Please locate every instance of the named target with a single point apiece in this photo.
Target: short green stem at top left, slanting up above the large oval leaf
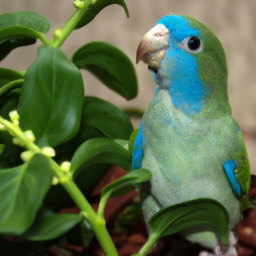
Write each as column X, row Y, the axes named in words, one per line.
column 69, row 27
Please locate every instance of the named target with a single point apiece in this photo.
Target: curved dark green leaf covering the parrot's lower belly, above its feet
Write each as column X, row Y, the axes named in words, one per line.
column 196, row 213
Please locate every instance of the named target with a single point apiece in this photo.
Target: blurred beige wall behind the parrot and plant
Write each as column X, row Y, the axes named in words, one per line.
column 233, row 21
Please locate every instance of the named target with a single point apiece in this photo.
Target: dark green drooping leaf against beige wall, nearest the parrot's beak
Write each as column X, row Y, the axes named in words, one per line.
column 110, row 65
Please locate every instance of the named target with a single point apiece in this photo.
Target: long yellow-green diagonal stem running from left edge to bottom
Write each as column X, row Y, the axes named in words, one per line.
column 96, row 221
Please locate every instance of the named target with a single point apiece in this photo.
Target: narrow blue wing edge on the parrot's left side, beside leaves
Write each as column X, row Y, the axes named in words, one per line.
column 137, row 151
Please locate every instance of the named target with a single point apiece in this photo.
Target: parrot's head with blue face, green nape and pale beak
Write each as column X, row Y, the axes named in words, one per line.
column 186, row 57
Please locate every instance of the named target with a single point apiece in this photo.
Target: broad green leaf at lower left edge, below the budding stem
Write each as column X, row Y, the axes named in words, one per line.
column 22, row 190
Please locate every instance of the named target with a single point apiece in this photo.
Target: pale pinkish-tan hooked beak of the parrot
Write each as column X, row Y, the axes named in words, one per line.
column 153, row 46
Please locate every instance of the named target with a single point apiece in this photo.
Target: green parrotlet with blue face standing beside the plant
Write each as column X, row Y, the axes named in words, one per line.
column 188, row 138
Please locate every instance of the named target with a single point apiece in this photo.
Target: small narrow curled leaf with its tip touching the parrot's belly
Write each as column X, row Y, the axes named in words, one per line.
column 123, row 184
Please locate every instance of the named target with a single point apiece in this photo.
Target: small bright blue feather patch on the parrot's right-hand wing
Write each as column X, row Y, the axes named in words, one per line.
column 230, row 169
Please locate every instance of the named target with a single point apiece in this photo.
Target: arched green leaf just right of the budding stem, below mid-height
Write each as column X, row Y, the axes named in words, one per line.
column 100, row 150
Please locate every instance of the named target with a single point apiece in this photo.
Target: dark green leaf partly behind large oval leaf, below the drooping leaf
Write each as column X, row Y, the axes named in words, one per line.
column 107, row 118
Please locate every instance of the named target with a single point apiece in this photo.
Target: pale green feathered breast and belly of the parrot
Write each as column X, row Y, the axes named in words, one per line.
column 185, row 155
